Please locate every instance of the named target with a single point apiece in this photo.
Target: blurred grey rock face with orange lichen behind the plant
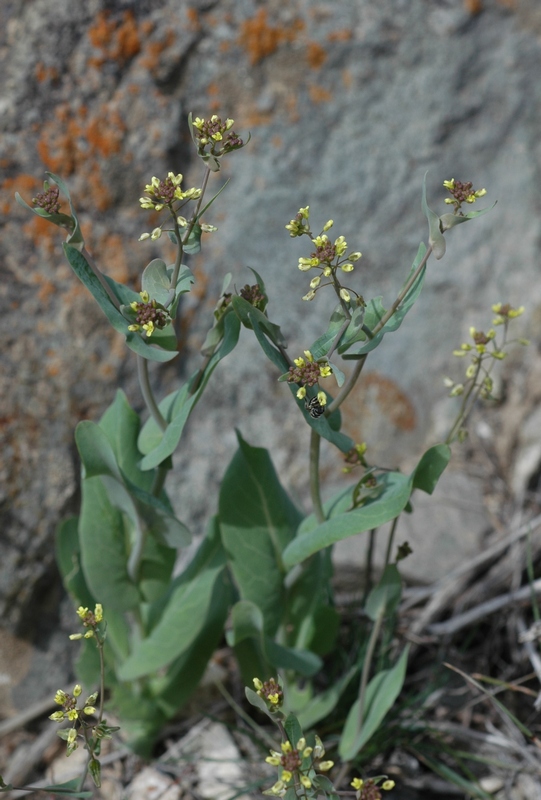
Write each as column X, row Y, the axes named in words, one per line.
column 349, row 103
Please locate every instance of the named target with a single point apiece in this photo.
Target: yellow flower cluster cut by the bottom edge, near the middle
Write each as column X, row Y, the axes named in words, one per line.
column 297, row 765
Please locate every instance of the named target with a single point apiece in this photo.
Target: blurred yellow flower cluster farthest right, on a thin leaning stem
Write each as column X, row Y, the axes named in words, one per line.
column 483, row 346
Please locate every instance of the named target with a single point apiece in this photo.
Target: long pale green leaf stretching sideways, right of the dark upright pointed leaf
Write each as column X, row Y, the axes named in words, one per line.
column 376, row 512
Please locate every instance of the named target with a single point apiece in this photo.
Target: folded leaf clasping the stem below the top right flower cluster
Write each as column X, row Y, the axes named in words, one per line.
column 356, row 342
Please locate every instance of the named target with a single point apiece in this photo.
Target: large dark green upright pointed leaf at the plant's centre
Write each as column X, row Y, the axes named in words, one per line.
column 257, row 521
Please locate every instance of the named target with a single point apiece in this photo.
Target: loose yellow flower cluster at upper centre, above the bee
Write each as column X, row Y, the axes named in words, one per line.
column 328, row 256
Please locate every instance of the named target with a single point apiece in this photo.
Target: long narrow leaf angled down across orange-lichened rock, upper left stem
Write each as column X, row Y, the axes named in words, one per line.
column 142, row 346
